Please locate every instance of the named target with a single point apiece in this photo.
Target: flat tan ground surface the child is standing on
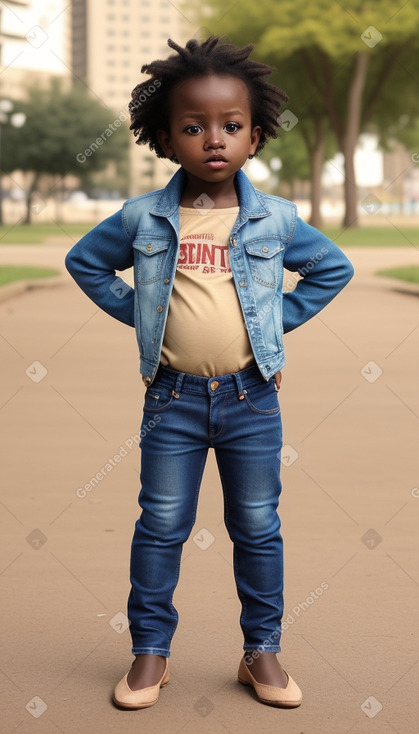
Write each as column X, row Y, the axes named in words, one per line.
column 71, row 400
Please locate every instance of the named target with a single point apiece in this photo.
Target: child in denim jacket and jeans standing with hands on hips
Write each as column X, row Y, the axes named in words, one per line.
column 208, row 253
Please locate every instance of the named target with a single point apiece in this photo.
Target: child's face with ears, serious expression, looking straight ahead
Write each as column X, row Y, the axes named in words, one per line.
column 211, row 131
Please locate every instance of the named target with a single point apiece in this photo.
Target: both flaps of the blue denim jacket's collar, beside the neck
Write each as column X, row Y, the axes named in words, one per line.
column 250, row 200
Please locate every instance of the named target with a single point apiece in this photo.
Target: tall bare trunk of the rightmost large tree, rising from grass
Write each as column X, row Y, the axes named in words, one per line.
column 353, row 122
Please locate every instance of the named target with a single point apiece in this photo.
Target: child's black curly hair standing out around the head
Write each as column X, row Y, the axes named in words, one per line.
column 149, row 107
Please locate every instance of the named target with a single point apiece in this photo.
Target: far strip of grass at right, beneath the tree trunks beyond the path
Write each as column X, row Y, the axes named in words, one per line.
column 374, row 236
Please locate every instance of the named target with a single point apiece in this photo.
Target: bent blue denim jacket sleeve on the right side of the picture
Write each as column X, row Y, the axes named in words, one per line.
column 325, row 270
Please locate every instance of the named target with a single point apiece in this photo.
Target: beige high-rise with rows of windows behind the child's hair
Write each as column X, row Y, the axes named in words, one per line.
column 112, row 39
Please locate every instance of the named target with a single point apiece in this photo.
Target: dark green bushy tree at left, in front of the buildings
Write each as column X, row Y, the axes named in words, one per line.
column 66, row 132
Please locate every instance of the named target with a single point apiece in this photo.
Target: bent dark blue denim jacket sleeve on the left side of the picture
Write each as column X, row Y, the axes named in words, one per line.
column 92, row 263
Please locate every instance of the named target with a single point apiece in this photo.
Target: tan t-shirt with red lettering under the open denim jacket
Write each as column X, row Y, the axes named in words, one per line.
column 205, row 331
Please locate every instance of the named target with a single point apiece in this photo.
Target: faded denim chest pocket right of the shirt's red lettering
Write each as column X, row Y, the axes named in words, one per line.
column 265, row 257
